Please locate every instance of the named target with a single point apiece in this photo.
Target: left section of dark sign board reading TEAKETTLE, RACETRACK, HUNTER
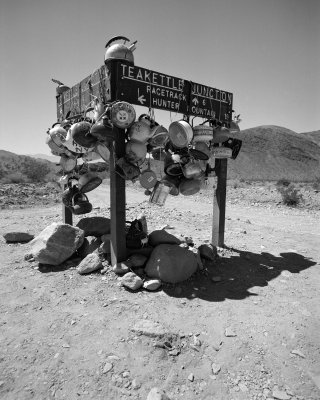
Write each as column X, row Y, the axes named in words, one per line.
column 152, row 89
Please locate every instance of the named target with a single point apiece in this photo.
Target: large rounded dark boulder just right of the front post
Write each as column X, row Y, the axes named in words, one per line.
column 171, row 263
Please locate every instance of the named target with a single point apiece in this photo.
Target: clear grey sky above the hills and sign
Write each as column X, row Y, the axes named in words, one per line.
column 265, row 52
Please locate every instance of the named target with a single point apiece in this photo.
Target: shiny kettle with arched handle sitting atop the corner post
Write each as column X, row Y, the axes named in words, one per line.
column 119, row 51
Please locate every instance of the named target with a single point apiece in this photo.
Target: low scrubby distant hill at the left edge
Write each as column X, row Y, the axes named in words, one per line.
column 14, row 167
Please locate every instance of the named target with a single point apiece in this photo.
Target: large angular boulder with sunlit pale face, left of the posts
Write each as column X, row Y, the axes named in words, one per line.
column 56, row 243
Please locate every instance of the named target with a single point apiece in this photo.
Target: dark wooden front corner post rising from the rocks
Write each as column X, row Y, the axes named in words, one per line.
column 117, row 184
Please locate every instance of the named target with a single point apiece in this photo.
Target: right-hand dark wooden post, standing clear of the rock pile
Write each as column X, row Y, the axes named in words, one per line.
column 219, row 203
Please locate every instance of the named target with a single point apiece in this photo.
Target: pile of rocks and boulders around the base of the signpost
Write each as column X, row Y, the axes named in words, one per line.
column 160, row 257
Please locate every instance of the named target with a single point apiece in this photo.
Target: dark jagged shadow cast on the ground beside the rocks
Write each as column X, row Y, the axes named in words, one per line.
column 239, row 272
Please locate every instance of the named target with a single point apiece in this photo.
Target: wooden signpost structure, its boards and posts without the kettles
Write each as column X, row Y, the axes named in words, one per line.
column 151, row 89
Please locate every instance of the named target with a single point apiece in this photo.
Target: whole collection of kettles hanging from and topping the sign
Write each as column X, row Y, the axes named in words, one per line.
column 184, row 149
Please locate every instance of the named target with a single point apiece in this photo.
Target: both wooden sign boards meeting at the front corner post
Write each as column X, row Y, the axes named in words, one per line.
column 143, row 87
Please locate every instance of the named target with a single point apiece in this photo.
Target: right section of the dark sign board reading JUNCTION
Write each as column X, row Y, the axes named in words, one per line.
column 210, row 103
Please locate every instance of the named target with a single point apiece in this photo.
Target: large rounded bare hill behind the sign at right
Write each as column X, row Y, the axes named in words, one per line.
column 272, row 152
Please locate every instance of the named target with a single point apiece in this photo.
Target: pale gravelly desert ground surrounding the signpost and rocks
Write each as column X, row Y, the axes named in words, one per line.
column 244, row 328
